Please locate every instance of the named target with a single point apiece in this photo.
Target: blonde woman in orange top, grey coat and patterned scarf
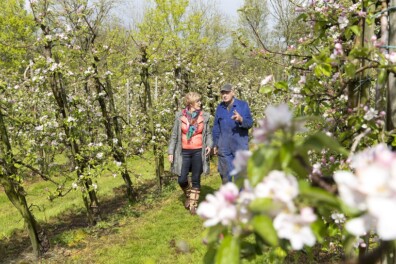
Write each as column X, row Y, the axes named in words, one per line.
column 189, row 148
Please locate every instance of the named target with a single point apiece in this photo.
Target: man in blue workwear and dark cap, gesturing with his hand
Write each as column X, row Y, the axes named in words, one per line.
column 230, row 130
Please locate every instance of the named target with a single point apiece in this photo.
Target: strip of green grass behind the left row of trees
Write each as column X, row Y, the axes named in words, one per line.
column 43, row 209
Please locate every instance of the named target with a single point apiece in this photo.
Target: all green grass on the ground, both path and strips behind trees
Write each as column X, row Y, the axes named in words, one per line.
column 157, row 229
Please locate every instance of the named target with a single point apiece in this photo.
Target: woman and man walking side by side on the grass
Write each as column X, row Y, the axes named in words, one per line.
column 192, row 140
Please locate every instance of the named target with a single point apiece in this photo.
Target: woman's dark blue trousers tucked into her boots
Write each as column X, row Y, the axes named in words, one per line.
column 192, row 161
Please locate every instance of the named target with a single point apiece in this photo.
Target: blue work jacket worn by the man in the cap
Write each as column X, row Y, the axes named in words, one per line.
column 230, row 135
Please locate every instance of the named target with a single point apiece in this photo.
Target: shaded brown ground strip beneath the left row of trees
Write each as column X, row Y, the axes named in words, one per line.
column 17, row 249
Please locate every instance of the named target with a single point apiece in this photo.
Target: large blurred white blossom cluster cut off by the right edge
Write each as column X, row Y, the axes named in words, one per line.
column 371, row 188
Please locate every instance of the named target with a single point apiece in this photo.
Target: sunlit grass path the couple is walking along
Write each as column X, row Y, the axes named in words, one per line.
column 165, row 233
